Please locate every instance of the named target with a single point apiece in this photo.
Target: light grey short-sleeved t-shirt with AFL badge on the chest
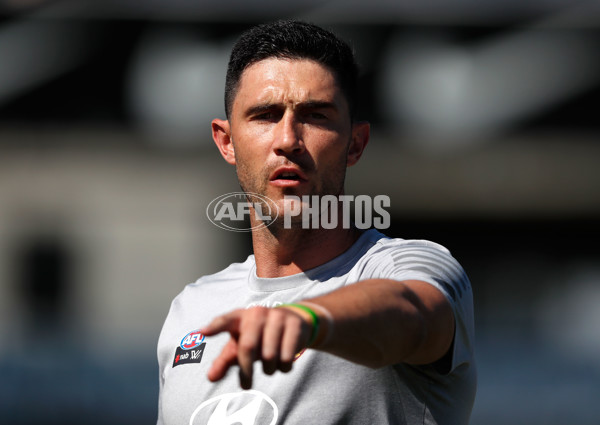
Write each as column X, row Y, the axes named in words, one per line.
column 321, row 388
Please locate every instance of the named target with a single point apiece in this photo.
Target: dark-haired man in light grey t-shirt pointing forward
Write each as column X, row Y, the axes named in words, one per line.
column 354, row 327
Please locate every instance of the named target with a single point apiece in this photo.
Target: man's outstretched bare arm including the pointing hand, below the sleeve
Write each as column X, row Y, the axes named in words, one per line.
column 374, row 323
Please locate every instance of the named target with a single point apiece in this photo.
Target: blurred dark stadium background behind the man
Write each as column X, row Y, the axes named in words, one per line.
column 486, row 138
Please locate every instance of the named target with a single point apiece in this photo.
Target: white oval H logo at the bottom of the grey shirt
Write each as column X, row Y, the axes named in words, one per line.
column 242, row 408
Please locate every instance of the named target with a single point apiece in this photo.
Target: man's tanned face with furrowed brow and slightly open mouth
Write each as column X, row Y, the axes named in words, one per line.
column 291, row 130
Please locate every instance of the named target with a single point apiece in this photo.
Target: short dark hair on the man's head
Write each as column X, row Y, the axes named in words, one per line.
column 291, row 39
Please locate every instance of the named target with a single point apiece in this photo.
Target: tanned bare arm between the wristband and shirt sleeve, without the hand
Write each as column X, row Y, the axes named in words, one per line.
column 380, row 322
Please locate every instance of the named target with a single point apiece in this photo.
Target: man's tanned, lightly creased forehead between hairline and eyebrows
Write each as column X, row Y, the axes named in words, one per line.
column 289, row 81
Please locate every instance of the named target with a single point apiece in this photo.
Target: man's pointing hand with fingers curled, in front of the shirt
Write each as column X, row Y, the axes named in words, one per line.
column 271, row 335
